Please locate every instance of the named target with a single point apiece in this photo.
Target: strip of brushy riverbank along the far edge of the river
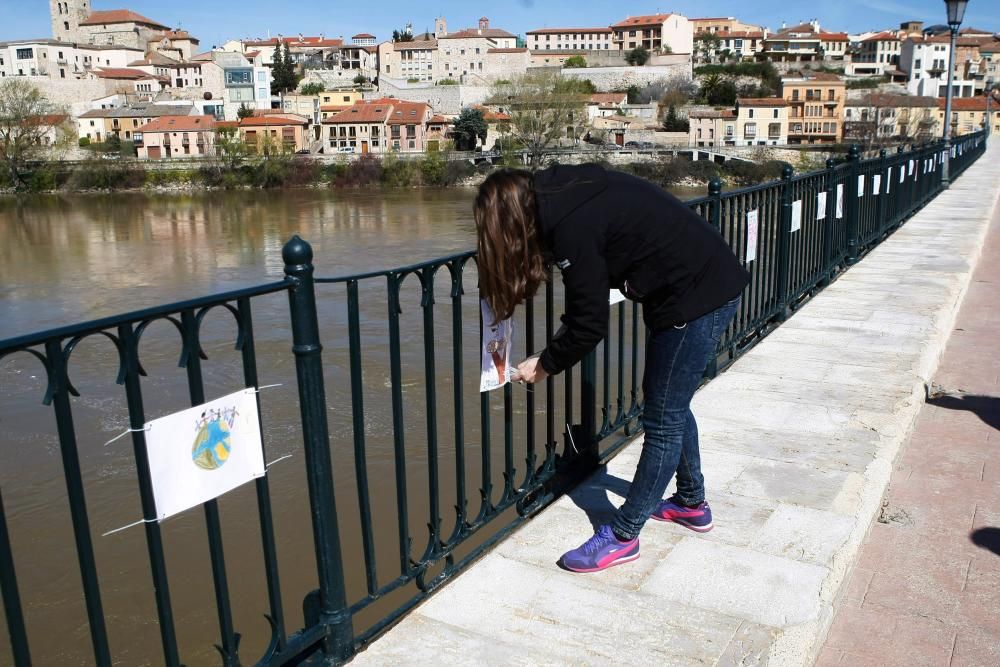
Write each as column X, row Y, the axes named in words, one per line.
column 433, row 170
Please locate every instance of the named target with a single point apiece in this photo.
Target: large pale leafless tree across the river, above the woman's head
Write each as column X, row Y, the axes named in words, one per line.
column 545, row 109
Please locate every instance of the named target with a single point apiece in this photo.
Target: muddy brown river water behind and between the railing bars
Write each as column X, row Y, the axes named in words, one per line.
column 67, row 259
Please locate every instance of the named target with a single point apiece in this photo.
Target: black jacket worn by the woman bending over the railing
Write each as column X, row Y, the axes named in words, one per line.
column 606, row 229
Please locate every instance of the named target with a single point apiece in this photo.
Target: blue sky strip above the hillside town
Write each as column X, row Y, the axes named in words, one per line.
column 220, row 20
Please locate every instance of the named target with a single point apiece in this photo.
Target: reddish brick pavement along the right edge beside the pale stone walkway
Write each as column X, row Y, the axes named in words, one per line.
column 926, row 588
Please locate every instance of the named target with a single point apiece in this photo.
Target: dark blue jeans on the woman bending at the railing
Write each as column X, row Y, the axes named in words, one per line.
column 675, row 362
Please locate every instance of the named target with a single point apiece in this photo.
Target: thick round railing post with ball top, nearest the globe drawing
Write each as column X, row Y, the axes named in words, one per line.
column 332, row 612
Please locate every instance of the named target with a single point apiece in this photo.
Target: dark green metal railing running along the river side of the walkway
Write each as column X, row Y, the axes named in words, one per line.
column 802, row 244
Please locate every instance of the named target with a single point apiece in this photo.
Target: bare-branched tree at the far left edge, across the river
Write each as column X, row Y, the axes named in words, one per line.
column 28, row 122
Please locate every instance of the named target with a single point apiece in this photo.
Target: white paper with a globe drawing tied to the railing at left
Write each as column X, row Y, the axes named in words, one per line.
column 200, row 453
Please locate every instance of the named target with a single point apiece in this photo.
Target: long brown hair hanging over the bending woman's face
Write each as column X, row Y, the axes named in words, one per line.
column 511, row 261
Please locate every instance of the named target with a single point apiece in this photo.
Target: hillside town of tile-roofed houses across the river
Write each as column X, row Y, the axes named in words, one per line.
column 115, row 80
